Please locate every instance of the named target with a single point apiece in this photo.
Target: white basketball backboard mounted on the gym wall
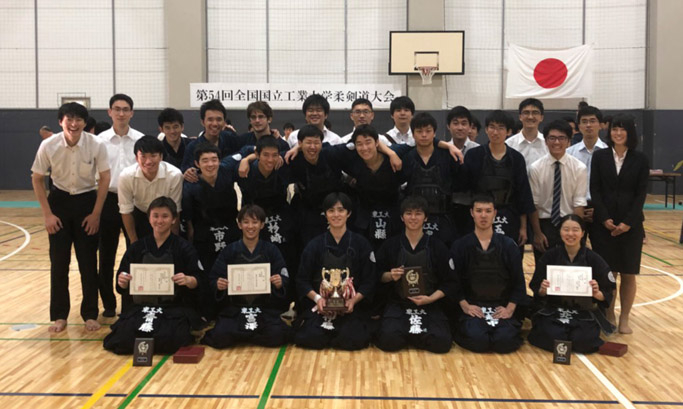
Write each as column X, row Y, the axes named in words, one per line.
column 409, row 50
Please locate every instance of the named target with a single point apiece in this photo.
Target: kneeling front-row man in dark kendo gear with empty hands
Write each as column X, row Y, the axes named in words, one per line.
column 490, row 285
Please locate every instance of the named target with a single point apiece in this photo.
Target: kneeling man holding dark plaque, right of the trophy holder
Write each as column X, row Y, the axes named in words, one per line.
column 416, row 320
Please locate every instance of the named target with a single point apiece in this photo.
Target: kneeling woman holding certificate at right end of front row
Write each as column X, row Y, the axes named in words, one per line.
column 566, row 317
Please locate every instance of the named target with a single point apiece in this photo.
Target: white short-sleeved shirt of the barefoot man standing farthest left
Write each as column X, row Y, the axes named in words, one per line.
column 73, row 169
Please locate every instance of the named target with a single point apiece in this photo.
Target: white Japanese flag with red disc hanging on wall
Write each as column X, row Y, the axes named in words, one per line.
column 565, row 73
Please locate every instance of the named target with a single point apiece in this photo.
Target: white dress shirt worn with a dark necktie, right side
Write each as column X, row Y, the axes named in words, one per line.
column 574, row 181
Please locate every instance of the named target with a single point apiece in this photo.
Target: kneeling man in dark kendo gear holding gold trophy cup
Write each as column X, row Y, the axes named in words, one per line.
column 335, row 264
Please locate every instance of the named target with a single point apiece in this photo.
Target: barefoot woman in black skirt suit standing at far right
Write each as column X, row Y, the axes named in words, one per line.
column 618, row 187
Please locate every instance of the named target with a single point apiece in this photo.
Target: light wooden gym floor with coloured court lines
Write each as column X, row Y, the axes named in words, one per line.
column 71, row 370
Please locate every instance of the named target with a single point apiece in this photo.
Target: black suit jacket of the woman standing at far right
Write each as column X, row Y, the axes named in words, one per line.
column 619, row 197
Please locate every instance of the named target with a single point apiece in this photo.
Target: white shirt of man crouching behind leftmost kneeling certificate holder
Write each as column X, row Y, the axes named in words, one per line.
column 136, row 191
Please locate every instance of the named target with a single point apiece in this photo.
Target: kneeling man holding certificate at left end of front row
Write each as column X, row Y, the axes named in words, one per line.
column 161, row 272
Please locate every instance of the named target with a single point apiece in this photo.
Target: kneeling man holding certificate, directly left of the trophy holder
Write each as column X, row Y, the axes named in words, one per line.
column 249, row 280
